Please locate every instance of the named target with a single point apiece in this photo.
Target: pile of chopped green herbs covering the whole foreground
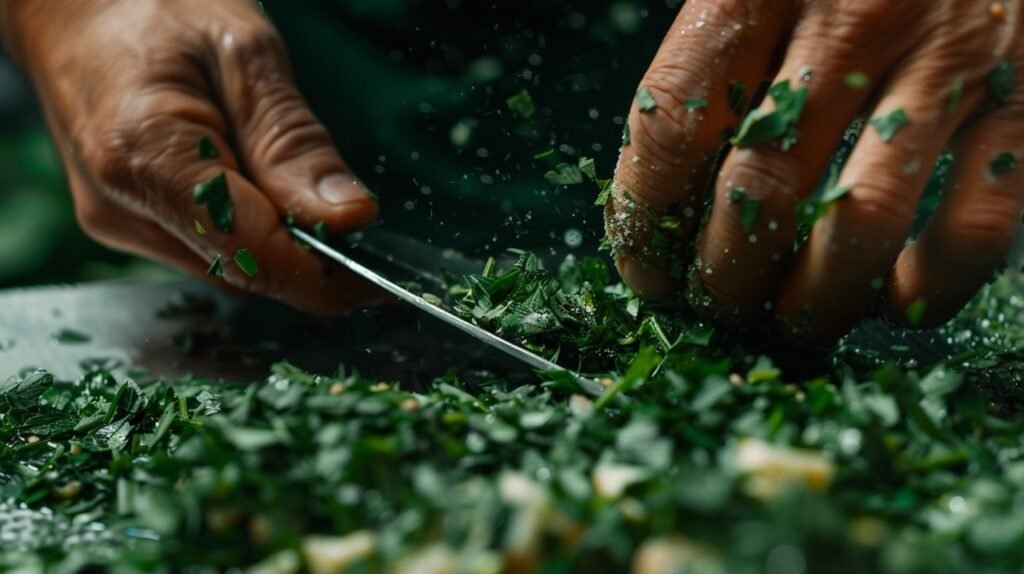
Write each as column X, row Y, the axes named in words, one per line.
column 712, row 460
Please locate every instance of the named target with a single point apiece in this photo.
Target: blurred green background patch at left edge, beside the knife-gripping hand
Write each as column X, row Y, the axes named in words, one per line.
column 40, row 242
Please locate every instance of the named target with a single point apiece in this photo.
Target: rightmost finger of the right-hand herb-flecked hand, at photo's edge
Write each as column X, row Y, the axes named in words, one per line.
column 973, row 231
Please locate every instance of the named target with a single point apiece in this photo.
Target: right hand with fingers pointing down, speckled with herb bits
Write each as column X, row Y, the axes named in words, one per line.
column 947, row 65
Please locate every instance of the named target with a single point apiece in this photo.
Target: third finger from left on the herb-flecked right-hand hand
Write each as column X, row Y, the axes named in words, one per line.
column 840, row 273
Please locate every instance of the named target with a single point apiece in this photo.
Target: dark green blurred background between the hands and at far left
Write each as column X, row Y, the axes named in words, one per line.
column 414, row 93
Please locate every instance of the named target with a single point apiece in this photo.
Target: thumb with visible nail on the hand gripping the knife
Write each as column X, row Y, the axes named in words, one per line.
column 285, row 151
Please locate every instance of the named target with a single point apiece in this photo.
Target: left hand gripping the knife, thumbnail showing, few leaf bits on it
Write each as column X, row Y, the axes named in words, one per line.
column 132, row 87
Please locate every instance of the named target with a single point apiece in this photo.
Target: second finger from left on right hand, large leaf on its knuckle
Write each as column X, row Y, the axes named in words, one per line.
column 826, row 81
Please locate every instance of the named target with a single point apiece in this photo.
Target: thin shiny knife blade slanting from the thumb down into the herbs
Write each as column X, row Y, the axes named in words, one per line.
column 386, row 259
